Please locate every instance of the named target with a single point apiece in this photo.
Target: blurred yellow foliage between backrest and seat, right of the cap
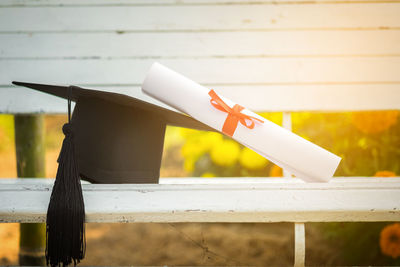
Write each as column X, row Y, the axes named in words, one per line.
column 364, row 149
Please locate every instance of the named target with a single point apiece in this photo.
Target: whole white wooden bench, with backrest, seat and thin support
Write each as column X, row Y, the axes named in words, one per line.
column 269, row 56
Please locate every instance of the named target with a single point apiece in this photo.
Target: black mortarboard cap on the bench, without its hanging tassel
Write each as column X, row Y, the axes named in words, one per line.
column 118, row 138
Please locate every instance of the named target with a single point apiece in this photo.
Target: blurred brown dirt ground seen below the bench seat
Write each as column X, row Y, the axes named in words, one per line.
column 209, row 244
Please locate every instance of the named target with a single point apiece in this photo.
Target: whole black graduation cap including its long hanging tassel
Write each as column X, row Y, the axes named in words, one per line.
column 110, row 138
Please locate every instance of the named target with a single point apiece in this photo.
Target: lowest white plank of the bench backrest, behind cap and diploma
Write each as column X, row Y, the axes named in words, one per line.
column 258, row 98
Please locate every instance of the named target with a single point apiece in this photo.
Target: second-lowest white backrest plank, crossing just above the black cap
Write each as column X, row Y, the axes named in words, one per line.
column 234, row 71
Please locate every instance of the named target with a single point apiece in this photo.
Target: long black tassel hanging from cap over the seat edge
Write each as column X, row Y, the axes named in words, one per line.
column 65, row 225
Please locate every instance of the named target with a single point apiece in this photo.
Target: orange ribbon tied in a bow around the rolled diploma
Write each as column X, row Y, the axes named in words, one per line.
column 234, row 115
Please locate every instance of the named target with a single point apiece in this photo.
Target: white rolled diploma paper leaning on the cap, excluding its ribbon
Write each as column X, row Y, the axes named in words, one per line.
column 284, row 148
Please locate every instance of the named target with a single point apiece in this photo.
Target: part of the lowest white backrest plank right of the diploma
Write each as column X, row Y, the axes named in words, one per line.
column 315, row 97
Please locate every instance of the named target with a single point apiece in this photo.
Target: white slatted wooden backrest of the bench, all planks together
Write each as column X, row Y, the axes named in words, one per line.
column 269, row 56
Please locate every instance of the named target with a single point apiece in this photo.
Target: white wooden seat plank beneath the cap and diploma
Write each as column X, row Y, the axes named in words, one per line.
column 346, row 199
